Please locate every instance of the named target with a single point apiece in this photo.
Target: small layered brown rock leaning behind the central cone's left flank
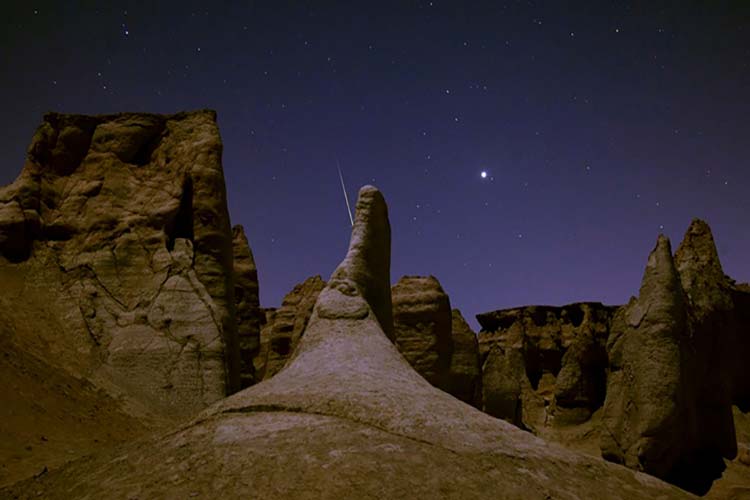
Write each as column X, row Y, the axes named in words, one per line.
column 285, row 325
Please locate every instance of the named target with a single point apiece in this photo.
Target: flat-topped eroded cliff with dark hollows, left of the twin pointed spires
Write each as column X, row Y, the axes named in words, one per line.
column 544, row 367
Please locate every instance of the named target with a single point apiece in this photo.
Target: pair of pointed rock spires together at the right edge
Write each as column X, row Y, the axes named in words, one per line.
column 677, row 368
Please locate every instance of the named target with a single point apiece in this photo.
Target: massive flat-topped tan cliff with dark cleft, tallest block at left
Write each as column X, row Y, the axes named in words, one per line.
column 117, row 230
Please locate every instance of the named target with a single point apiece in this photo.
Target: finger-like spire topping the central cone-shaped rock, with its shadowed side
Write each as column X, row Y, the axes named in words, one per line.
column 367, row 263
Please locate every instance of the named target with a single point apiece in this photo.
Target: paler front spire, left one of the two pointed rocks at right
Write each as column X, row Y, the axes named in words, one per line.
column 648, row 422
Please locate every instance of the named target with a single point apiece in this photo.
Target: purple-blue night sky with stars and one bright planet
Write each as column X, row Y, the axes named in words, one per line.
column 598, row 124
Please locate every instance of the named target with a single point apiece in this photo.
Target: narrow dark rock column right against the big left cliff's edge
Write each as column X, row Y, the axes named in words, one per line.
column 249, row 316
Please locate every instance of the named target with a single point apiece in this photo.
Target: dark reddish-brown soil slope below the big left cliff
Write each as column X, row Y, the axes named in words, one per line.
column 49, row 417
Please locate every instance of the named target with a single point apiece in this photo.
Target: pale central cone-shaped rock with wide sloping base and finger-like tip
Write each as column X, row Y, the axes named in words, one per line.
column 347, row 417
